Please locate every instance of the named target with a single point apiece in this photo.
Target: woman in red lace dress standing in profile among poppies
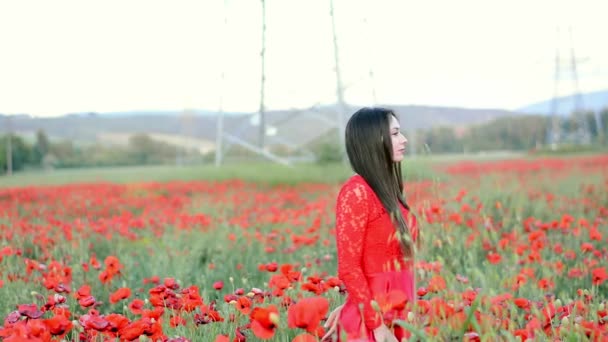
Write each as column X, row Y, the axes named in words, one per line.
column 375, row 232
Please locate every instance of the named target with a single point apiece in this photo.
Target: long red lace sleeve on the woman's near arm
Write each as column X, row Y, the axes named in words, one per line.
column 352, row 211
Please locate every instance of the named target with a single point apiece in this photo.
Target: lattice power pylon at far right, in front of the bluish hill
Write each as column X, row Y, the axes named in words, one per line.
column 555, row 134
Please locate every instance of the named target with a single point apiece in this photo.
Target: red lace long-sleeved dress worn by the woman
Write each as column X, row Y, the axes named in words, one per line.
column 371, row 262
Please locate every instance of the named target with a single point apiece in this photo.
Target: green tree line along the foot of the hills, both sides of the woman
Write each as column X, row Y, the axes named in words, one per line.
column 515, row 133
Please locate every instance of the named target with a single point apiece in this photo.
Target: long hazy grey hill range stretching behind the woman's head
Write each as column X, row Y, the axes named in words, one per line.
column 289, row 128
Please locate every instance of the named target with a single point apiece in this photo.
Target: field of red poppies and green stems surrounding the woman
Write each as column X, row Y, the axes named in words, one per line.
column 511, row 250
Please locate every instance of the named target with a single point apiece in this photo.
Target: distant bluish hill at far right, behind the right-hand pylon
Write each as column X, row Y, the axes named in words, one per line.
column 594, row 101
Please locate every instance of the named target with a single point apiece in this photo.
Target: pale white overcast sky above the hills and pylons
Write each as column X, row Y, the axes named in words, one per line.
column 71, row 56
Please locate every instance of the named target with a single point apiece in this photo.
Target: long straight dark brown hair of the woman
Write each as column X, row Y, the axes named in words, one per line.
column 369, row 149
